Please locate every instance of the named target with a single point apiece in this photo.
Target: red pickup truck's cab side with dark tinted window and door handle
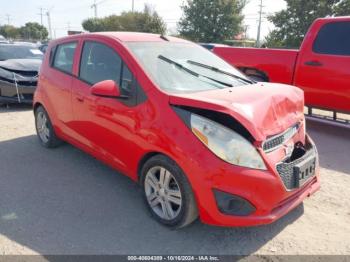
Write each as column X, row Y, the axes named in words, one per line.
column 323, row 70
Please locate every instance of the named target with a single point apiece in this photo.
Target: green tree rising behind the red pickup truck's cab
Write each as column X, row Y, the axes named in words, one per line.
column 293, row 22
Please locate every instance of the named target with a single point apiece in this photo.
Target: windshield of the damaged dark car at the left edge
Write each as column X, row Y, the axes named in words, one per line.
column 19, row 52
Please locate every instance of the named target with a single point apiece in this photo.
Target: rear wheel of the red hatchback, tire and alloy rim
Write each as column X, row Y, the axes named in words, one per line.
column 44, row 129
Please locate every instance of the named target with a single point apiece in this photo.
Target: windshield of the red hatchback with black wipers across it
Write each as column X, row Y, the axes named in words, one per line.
column 171, row 66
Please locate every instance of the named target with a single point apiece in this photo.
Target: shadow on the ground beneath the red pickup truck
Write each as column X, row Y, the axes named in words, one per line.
column 333, row 143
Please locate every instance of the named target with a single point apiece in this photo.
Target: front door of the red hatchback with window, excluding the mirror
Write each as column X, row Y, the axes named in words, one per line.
column 106, row 125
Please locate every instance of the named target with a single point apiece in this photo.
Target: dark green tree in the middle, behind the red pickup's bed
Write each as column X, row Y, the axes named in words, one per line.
column 211, row 20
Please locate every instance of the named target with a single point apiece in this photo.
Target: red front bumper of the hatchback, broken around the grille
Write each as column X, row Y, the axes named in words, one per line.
column 265, row 190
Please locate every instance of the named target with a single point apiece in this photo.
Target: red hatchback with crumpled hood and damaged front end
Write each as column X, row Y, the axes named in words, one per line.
column 200, row 137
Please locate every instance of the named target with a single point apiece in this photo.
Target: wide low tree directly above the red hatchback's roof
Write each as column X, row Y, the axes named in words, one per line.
column 147, row 21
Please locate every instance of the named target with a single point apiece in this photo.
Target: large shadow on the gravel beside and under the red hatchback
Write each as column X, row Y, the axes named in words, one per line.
column 63, row 201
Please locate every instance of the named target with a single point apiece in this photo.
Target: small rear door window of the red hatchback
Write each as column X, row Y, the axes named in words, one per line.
column 64, row 57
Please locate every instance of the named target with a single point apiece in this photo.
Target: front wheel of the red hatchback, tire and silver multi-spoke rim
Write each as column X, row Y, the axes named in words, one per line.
column 175, row 186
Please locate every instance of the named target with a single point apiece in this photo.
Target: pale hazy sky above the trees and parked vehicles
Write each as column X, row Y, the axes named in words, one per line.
column 68, row 14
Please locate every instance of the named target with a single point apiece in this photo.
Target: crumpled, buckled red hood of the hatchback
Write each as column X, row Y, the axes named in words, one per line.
column 264, row 109
